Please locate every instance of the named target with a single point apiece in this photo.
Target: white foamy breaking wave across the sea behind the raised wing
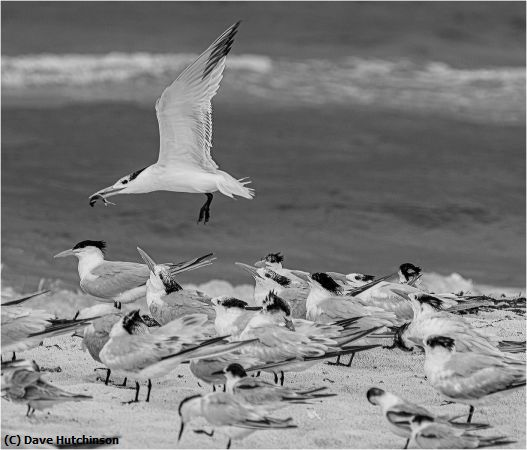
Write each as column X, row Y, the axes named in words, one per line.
column 484, row 94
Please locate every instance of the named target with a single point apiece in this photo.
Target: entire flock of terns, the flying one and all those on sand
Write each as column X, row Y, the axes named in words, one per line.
column 295, row 321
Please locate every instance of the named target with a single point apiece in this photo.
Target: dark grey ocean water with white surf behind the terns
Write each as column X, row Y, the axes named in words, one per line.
column 393, row 140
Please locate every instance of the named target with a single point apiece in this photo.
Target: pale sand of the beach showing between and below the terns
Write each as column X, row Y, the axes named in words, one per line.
column 347, row 420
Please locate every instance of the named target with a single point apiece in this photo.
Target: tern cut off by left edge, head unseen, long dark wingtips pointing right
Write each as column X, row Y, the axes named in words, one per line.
column 24, row 328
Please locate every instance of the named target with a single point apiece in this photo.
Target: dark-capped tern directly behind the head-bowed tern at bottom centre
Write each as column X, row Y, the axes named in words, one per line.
column 259, row 392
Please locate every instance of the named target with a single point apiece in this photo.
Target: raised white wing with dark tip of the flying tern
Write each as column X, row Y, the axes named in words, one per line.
column 184, row 110
